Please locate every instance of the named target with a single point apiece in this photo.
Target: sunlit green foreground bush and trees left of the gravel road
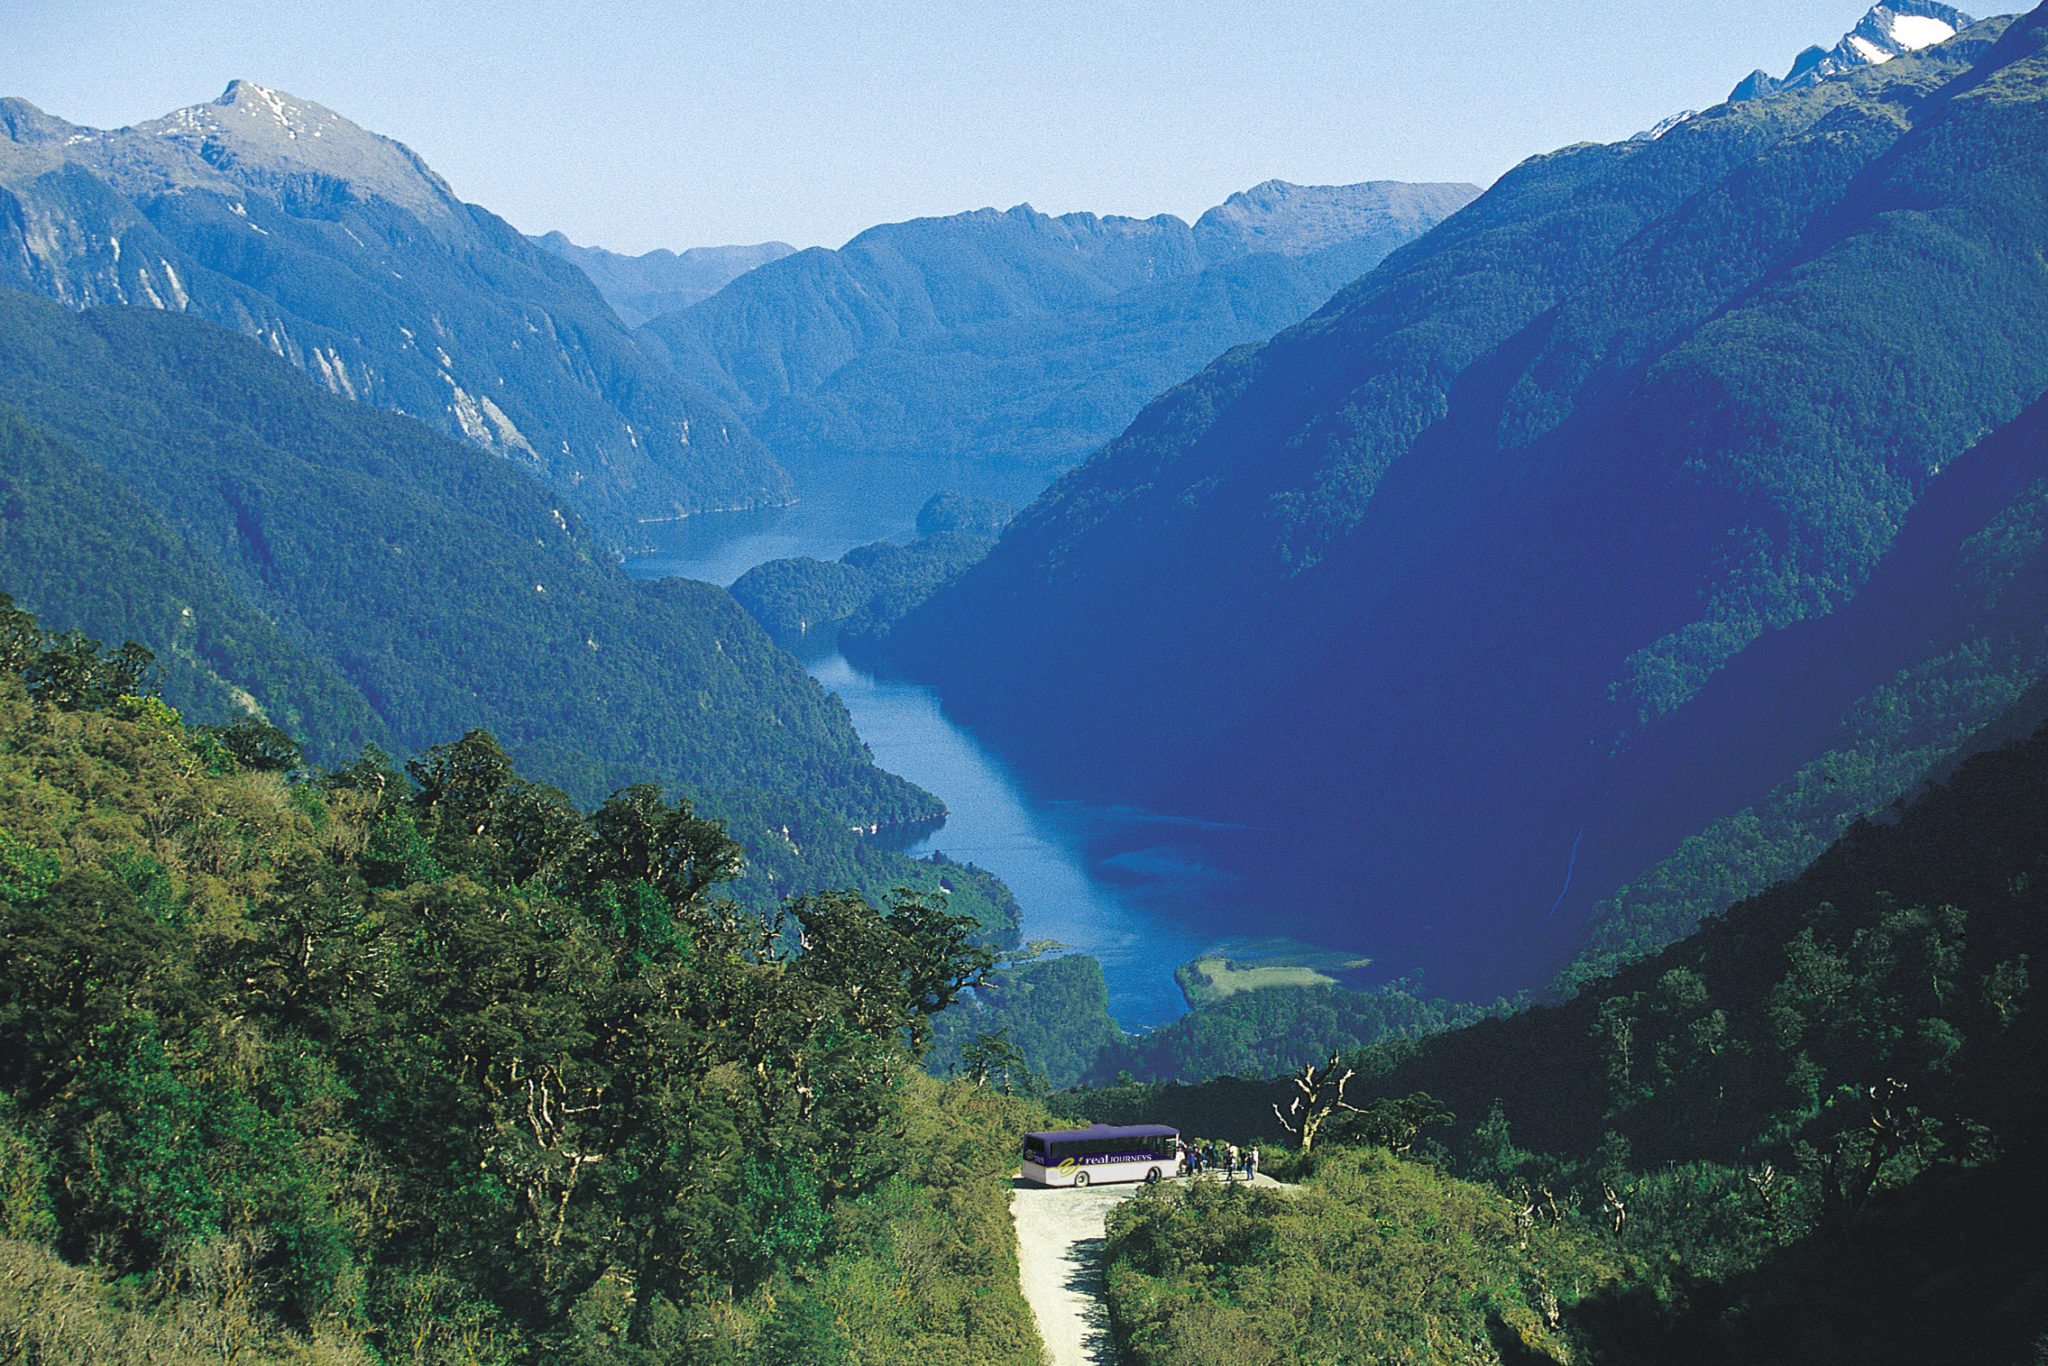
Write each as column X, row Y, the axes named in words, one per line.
column 427, row 1066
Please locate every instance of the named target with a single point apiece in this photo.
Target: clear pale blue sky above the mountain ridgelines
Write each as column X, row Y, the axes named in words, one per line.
column 687, row 124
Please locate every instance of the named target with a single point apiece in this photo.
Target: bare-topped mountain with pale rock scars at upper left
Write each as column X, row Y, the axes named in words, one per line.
column 343, row 253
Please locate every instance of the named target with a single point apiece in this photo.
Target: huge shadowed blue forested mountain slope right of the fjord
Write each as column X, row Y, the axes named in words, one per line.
column 1439, row 581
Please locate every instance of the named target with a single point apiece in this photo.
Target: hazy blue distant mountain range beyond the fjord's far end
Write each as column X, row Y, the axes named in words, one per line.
column 1023, row 341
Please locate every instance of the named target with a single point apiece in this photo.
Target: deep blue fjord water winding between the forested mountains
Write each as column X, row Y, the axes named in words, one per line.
column 1136, row 890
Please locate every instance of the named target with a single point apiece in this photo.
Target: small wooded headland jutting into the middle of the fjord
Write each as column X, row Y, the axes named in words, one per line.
column 871, row 587
